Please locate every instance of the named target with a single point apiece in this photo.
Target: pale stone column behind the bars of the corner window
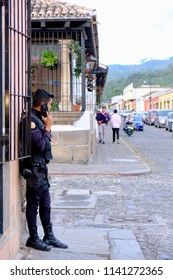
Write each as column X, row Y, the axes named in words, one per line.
column 65, row 104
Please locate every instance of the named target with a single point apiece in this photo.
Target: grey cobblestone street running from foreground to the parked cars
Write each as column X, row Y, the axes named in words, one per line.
column 142, row 203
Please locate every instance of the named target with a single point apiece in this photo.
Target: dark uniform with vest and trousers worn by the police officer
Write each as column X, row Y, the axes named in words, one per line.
column 38, row 184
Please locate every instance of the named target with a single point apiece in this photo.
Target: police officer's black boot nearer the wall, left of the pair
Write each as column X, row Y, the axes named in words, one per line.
column 35, row 242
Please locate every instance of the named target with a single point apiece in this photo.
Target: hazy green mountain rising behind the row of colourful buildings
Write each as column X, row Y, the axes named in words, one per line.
column 156, row 72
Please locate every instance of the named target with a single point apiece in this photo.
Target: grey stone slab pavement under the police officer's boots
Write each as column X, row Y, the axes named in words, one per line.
column 87, row 244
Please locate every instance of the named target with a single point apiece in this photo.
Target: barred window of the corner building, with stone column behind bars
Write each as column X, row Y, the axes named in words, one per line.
column 65, row 80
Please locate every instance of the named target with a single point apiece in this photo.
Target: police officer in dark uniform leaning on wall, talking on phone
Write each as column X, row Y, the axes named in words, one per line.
column 37, row 194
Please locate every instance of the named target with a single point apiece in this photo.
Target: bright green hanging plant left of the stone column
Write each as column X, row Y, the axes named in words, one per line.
column 49, row 58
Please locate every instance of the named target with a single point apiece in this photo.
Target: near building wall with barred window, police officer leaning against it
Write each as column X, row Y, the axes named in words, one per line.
column 14, row 98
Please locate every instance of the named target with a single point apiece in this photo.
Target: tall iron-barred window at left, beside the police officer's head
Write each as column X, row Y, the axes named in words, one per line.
column 14, row 89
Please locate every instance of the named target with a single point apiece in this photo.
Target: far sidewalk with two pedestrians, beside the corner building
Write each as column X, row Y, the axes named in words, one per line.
column 108, row 159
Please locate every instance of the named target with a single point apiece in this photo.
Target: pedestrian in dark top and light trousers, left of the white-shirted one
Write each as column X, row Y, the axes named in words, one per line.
column 102, row 119
